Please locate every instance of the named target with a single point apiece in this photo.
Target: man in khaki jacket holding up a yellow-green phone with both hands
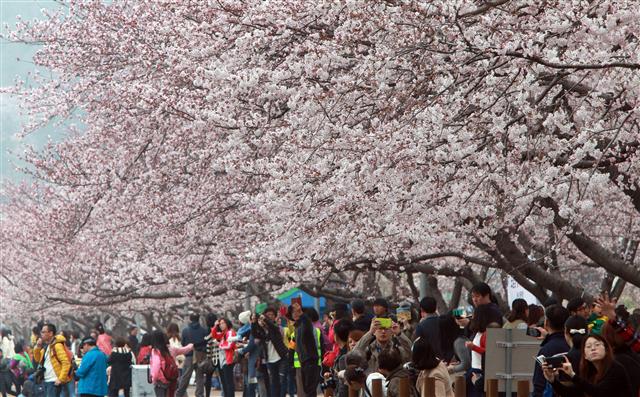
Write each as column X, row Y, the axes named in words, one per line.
column 379, row 338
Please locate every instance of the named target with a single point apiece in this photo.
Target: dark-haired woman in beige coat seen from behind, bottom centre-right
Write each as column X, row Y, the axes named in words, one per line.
column 424, row 360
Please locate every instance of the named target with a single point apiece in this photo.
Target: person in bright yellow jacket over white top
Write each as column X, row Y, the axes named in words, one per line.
column 52, row 356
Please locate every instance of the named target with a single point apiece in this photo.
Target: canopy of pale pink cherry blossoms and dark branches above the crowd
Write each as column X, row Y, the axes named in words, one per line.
column 229, row 144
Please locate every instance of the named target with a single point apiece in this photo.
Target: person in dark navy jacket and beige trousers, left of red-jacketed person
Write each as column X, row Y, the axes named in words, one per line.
column 194, row 334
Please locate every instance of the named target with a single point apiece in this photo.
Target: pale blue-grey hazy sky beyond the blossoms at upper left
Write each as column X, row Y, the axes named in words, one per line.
column 10, row 68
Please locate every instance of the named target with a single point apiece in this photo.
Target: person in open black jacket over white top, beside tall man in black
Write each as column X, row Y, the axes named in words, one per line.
column 276, row 351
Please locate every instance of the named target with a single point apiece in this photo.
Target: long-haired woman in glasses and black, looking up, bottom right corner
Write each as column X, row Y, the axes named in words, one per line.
column 600, row 375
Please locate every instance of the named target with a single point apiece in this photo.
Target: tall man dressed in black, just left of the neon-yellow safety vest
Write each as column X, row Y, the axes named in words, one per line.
column 307, row 350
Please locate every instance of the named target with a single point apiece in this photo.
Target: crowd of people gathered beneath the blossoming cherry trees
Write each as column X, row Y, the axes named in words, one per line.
column 587, row 349
